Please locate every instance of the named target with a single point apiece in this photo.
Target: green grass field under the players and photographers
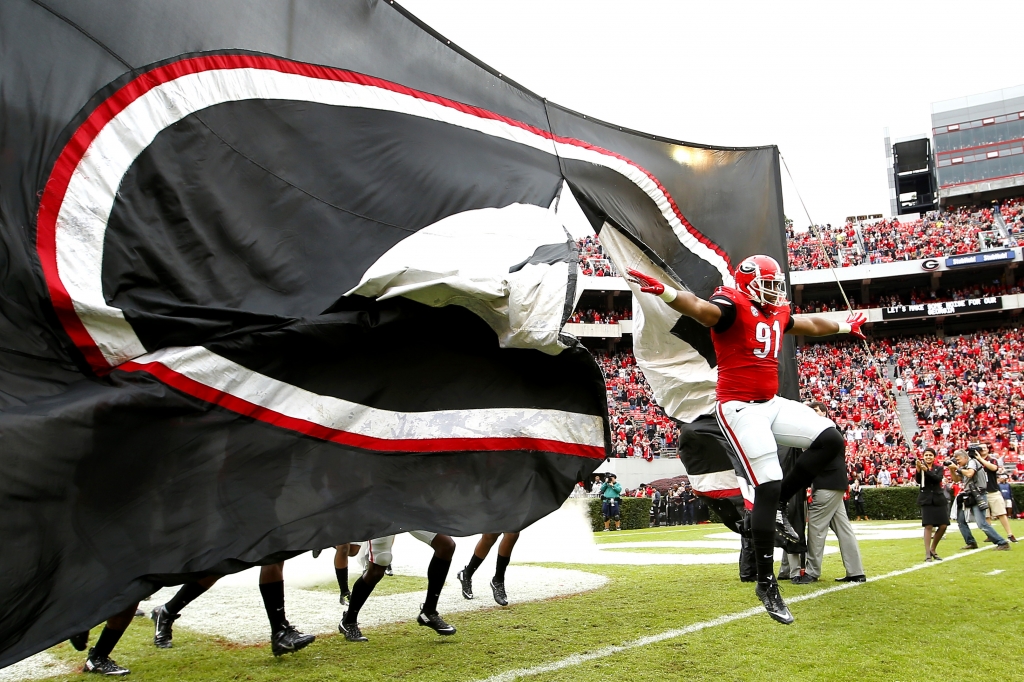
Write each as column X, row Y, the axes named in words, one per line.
column 958, row 620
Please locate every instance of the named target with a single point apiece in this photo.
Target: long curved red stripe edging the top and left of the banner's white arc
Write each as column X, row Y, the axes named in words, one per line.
column 71, row 156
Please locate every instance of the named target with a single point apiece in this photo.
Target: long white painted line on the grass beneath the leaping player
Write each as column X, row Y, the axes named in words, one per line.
column 577, row 659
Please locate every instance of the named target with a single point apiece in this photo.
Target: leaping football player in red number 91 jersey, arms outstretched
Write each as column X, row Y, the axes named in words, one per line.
column 747, row 326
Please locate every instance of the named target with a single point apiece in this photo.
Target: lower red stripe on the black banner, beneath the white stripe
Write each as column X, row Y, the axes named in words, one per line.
column 247, row 409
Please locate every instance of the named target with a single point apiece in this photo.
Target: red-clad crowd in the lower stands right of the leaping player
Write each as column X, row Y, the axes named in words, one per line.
column 964, row 389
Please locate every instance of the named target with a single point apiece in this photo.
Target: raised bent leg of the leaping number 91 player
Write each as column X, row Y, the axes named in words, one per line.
column 797, row 425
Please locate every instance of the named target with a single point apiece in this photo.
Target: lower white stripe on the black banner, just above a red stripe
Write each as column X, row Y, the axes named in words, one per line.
column 219, row 373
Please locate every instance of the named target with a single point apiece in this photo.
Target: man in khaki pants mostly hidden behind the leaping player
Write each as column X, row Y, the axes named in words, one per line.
column 828, row 510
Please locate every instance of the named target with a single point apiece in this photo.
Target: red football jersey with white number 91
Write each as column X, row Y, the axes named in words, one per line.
column 747, row 344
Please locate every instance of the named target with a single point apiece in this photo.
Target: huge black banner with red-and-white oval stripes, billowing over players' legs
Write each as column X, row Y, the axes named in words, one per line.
column 270, row 267
